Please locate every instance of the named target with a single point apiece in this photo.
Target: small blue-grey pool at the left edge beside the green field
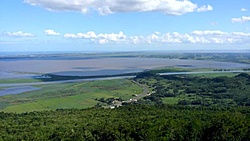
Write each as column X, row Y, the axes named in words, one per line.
column 17, row 90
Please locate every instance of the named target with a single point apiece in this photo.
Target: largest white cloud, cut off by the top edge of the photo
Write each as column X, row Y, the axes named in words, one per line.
column 104, row 7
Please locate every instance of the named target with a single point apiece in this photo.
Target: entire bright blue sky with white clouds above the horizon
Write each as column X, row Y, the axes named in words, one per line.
column 124, row 25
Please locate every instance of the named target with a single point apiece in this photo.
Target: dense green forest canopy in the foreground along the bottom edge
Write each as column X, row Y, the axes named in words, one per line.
column 131, row 122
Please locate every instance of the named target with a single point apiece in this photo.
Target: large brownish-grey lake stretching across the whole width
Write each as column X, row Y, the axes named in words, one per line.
column 103, row 66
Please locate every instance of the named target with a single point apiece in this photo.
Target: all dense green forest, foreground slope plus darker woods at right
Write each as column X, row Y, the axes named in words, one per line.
column 206, row 108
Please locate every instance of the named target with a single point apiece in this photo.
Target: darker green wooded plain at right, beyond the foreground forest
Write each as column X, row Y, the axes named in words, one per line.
column 203, row 91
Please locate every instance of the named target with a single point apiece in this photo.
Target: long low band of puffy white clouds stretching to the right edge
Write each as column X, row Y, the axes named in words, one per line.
column 195, row 37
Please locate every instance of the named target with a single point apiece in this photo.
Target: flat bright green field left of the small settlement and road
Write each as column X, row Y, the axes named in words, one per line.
column 69, row 95
